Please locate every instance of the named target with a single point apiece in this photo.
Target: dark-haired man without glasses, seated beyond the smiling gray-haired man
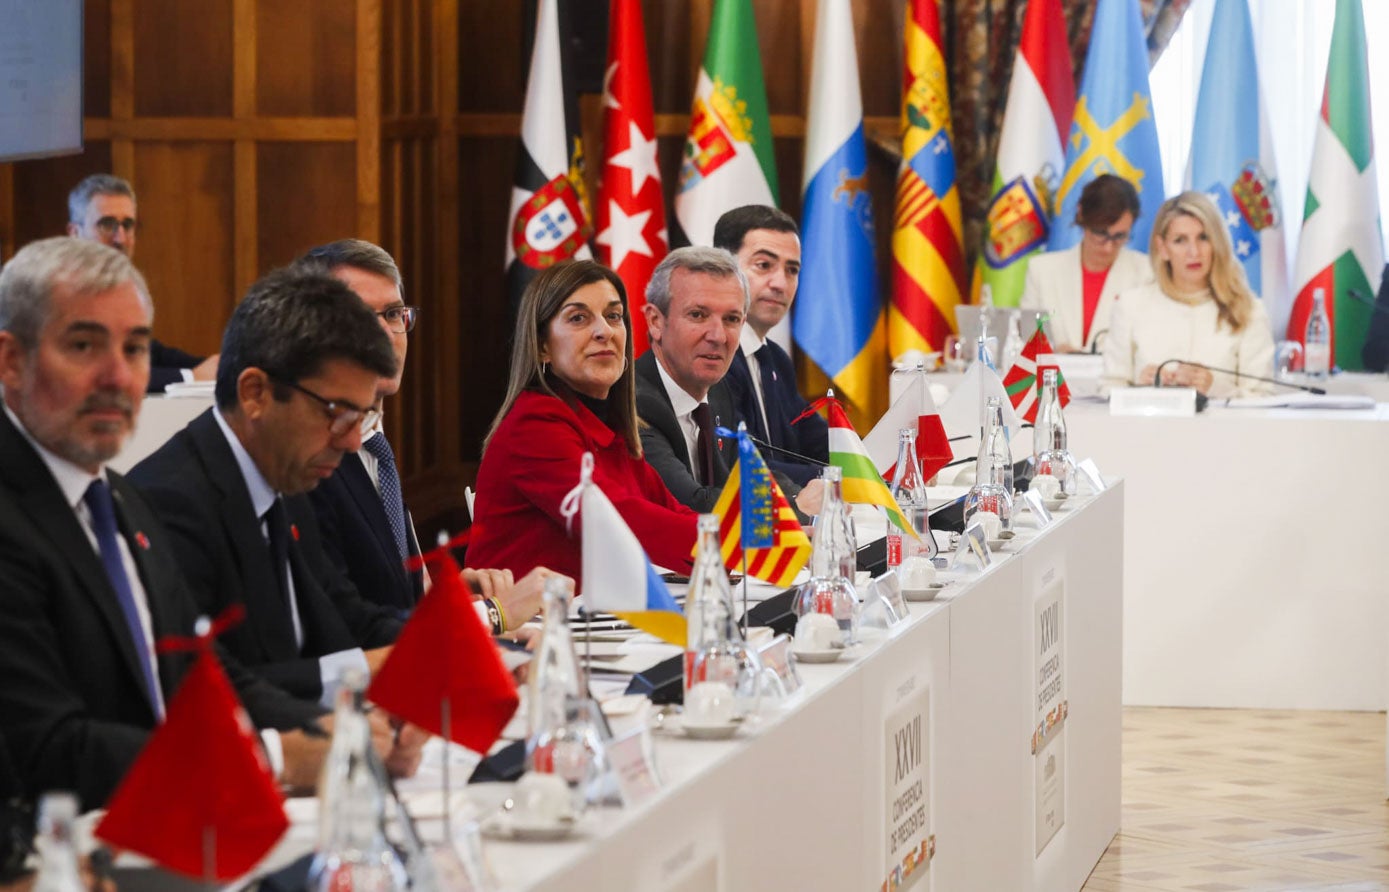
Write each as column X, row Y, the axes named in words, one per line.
column 763, row 377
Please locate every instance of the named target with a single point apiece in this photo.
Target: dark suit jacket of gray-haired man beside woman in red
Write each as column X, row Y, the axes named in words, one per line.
column 663, row 441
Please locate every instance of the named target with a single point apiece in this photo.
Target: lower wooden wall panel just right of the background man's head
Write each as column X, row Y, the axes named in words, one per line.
column 187, row 248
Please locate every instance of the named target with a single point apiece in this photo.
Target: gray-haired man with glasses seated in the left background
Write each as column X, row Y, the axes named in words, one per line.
column 102, row 209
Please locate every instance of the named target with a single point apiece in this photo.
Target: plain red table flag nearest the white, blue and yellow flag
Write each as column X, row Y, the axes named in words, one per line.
column 445, row 652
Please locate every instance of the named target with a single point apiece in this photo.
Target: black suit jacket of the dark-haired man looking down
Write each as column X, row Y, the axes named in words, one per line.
column 197, row 490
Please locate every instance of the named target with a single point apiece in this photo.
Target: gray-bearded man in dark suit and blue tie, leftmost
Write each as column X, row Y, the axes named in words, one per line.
column 90, row 575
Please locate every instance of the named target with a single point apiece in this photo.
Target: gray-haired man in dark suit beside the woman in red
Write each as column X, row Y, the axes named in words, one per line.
column 695, row 309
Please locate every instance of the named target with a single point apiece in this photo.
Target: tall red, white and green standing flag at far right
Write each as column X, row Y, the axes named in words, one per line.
column 1341, row 248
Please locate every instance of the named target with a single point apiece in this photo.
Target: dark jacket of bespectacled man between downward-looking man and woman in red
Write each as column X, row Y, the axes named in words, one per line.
column 358, row 537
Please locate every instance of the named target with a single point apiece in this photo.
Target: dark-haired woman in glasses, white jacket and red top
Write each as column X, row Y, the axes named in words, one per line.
column 1077, row 288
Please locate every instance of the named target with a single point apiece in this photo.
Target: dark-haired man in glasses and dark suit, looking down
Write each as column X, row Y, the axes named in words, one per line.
column 302, row 359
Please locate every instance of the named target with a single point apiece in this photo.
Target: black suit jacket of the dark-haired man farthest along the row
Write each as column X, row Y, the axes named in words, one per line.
column 809, row 437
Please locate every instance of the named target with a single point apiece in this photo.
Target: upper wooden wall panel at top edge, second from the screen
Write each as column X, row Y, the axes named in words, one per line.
column 306, row 59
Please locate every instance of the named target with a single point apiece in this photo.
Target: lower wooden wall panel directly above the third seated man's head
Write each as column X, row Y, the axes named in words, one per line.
column 303, row 198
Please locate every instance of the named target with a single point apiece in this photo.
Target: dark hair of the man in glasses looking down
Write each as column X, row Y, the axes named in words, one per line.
column 291, row 323
